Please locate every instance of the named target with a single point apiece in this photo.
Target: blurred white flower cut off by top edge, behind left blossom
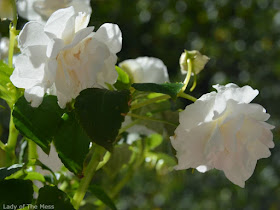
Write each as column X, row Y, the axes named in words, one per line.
column 41, row 10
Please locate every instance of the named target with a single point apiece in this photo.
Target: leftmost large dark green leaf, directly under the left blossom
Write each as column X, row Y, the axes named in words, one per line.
column 38, row 124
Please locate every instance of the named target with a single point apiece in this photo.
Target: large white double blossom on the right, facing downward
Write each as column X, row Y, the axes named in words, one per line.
column 223, row 130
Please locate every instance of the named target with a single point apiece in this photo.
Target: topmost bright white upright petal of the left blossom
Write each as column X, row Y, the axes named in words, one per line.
column 61, row 24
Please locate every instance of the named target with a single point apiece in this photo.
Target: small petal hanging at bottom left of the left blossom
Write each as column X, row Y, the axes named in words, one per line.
column 34, row 95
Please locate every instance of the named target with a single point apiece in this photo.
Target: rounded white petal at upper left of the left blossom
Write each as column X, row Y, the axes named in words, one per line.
column 32, row 34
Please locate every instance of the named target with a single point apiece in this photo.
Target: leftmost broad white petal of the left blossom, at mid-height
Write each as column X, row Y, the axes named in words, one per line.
column 26, row 75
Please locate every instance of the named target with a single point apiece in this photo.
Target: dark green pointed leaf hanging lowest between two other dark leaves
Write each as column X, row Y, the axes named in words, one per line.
column 72, row 143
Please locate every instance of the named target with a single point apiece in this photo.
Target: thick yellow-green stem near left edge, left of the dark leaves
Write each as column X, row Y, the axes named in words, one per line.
column 12, row 141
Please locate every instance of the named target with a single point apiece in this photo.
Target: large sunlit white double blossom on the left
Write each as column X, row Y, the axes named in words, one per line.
column 65, row 57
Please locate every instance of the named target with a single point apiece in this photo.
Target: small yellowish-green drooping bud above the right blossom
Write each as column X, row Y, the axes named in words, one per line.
column 199, row 61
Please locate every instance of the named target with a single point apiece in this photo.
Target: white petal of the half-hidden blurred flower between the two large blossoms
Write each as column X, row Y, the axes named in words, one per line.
column 154, row 70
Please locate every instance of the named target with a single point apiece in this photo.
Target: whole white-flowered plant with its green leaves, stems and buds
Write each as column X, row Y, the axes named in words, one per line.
column 66, row 90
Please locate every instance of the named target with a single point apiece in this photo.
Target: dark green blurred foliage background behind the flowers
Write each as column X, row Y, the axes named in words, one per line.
column 242, row 38
